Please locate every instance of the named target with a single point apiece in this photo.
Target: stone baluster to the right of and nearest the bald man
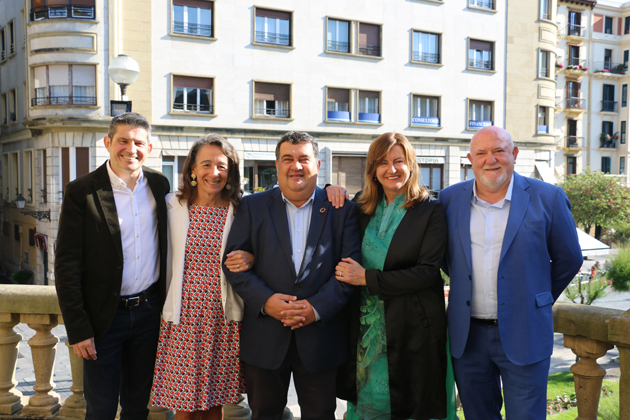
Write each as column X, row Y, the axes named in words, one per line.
column 587, row 374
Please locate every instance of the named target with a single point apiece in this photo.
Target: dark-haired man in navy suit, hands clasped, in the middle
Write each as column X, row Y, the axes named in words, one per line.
column 293, row 302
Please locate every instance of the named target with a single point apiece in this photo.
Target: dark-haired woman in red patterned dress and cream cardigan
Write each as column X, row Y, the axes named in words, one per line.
column 198, row 368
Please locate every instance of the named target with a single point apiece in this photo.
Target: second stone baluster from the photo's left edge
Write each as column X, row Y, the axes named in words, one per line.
column 45, row 402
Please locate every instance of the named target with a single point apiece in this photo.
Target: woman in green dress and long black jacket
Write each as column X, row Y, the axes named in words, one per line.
column 398, row 359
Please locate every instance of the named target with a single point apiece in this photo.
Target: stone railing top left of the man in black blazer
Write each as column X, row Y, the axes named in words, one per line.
column 26, row 299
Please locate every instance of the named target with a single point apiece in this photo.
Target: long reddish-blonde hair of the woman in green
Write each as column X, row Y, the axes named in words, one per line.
column 373, row 191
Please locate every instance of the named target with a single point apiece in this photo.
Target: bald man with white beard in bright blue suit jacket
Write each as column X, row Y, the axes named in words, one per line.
column 512, row 250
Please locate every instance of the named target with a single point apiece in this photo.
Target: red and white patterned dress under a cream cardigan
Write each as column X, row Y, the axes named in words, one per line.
column 197, row 365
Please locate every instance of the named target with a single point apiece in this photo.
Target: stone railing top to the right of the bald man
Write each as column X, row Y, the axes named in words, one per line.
column 590, row 321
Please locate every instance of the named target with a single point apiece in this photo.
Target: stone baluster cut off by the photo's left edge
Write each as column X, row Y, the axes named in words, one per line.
column 10, row 398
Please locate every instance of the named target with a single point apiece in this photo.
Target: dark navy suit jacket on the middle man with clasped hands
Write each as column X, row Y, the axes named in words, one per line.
column 261, row 227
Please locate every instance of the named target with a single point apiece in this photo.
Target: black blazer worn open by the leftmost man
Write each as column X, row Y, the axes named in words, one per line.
column 88, row 259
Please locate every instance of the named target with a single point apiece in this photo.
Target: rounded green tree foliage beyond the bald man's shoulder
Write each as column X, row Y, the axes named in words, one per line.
column 597, row 200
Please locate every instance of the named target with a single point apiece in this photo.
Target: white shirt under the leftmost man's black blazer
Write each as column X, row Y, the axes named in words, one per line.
column 138, row 232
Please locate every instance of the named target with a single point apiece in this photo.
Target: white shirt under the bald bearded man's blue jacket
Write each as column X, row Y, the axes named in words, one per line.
column 487, row 228
